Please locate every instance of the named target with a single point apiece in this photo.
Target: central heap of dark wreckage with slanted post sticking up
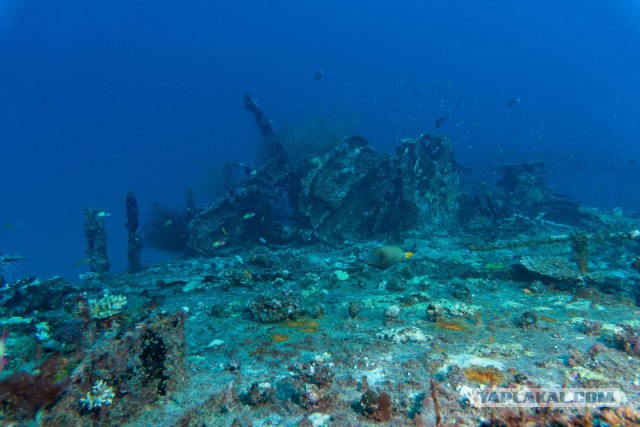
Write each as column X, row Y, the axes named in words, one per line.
column 347, row 193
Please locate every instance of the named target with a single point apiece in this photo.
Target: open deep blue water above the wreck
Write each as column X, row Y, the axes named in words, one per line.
column 103, row 97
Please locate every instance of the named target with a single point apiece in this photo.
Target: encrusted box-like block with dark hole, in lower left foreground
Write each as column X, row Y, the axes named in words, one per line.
column 144, row 360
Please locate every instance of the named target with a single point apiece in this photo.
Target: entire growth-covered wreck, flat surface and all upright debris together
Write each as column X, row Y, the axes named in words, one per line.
column 346, row 288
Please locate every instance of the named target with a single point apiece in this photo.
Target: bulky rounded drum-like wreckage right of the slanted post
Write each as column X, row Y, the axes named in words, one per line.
column 351, row 192
